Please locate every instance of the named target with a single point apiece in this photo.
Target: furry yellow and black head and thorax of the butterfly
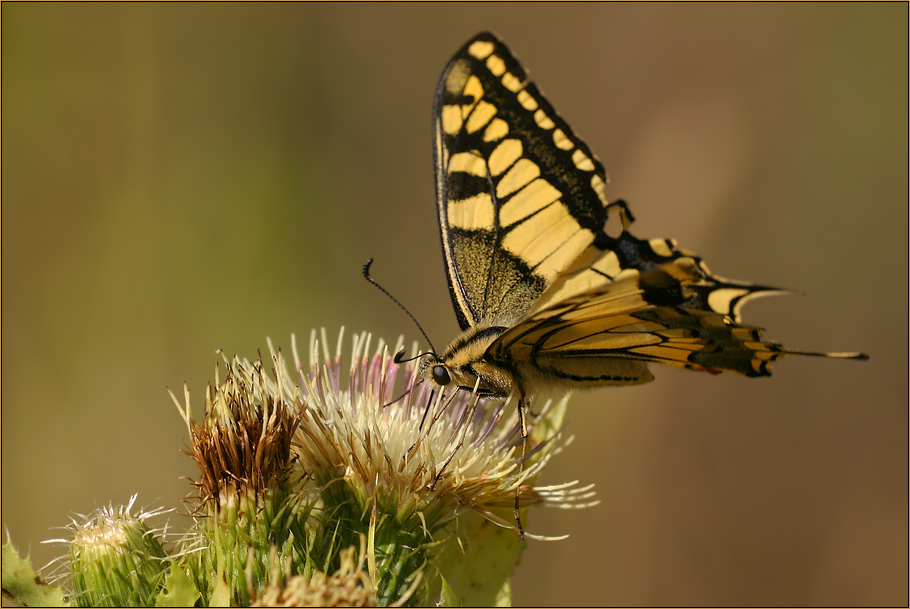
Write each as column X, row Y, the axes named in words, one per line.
column 463, row 363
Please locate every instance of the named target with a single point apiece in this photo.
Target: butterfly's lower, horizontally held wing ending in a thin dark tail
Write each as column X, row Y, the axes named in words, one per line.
column 676, row 314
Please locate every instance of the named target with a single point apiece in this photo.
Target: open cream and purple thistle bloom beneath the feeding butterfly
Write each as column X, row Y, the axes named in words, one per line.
column 389, row 438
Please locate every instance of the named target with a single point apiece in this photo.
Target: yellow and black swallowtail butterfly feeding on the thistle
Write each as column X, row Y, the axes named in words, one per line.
column 545, row 297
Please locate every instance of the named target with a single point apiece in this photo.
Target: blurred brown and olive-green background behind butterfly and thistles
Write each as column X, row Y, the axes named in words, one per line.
column 178, row 179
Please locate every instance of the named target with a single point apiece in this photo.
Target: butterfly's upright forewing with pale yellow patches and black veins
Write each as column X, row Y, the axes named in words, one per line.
column 520, row 196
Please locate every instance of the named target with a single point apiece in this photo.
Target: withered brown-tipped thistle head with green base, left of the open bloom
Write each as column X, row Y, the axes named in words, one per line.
column 254, row 507
